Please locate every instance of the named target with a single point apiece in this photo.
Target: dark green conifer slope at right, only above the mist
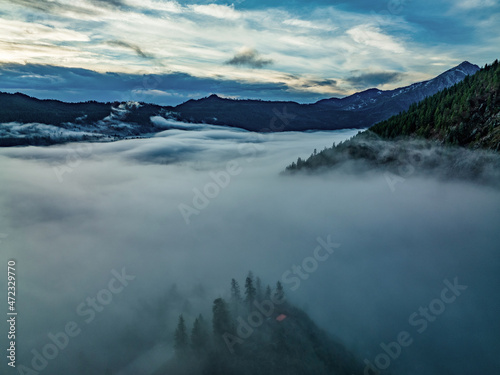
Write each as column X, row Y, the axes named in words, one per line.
column 466, row 114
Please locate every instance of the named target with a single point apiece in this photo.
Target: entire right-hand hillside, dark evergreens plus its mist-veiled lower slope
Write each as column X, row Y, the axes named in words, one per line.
column 437, row 134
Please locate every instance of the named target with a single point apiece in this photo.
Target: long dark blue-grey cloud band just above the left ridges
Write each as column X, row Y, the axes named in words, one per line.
column 76, row 84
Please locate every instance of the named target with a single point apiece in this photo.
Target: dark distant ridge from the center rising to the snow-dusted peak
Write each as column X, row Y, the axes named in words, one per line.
column 360, row 110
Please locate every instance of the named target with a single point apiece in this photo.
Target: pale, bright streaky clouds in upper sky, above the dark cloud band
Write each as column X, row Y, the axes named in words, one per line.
column 315, row 41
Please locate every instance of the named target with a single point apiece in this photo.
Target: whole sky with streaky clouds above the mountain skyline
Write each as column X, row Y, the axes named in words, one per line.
column 170, row 51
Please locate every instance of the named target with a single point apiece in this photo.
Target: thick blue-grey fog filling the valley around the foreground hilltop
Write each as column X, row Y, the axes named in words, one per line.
column 187, row 210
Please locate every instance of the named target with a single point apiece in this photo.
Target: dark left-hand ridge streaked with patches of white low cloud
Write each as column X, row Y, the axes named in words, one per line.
column 29, row 121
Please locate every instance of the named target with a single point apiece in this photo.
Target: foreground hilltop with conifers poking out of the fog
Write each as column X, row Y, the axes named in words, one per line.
column 256, row 332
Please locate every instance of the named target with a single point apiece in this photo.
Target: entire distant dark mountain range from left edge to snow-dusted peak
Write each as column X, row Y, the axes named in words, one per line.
column 26, row 120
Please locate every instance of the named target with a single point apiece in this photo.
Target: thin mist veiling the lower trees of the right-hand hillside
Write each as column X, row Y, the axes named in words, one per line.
column 398, row 159
